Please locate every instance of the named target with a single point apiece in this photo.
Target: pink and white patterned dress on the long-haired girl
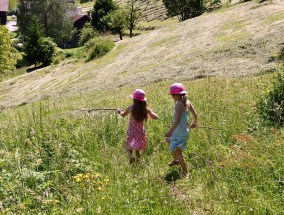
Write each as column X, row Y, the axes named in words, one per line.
column 136, row 135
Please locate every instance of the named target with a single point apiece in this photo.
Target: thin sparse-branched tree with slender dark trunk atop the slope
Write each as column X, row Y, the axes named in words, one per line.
column 135, row 12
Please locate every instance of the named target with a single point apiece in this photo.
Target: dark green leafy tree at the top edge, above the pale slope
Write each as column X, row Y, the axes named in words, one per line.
column 184, row 9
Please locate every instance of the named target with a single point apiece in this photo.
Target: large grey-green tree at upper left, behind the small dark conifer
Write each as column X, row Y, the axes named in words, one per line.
column 56, row 17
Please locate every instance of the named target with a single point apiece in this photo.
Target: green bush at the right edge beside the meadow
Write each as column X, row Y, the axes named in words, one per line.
column 271, row 104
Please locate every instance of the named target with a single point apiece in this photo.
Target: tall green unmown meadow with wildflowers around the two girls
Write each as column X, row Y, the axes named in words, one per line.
column 56, row 159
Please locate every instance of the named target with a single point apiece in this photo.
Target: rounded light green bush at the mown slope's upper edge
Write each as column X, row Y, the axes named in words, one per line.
column 98, row 47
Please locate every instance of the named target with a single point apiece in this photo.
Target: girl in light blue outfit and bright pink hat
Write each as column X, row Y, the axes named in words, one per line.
column 178, row 135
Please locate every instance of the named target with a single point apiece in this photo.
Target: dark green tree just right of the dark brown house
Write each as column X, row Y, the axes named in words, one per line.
column 101, row 9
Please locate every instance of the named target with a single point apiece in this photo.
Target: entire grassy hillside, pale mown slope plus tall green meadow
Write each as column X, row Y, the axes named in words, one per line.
column 57, row 159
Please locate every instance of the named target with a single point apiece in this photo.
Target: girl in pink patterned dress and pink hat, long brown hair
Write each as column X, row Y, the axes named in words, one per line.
column 136, row 135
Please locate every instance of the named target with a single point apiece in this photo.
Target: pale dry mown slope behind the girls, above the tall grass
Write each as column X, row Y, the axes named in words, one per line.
column 233, row 42
